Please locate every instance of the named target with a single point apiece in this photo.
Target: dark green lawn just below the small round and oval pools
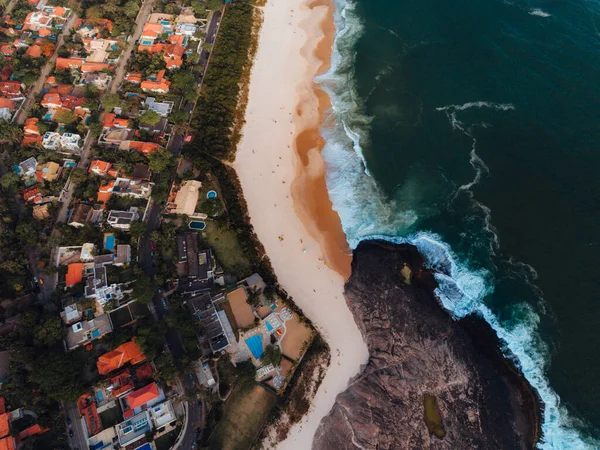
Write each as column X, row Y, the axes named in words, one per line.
column 227, row 249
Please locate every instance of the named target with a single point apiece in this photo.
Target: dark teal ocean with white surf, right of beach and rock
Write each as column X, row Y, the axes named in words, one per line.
column 471, row 129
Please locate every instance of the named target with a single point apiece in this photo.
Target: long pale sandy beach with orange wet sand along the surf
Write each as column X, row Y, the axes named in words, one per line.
column 282, row 176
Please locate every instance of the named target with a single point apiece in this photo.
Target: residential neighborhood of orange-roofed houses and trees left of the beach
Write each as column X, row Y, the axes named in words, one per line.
column 137, row 310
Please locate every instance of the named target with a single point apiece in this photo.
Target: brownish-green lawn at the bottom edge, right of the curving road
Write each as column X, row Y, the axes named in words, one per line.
column 244, row 415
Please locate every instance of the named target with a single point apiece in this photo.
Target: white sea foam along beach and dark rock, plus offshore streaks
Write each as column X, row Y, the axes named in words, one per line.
column 366, row 214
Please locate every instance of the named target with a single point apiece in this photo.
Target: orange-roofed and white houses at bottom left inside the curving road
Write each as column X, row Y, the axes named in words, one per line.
column 128, row 405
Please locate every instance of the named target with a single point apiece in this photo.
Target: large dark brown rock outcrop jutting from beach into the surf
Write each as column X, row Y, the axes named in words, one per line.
column 431, row 382
